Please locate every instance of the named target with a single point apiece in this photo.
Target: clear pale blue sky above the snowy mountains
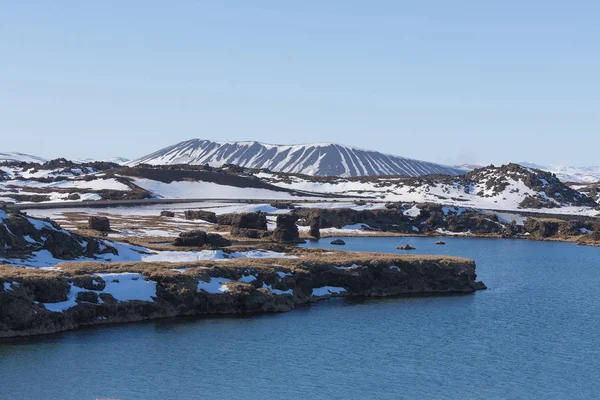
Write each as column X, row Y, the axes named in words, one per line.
column 446, row 81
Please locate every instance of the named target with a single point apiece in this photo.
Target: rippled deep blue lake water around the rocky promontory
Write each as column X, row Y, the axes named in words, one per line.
column 534, row 335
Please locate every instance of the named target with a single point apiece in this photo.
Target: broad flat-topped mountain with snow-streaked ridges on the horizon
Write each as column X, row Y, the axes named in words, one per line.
column 321, row 159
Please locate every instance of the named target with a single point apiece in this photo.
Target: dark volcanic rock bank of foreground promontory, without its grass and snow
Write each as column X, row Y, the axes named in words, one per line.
column 22, row 312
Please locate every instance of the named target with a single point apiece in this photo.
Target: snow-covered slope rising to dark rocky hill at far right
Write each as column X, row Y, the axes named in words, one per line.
column 509, row 187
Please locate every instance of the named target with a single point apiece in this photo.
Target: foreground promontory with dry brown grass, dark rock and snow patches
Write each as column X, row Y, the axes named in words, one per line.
column 37, row 302
